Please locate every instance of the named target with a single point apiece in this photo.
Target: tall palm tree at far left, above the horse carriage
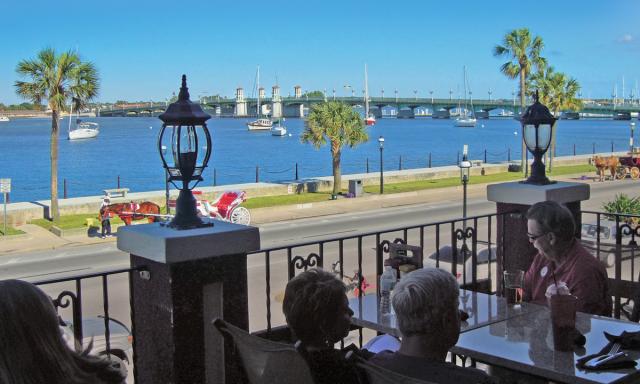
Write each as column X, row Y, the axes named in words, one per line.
column 57, row 79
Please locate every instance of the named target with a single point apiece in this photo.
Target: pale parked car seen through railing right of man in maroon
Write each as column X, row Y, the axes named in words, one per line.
column 607, row 246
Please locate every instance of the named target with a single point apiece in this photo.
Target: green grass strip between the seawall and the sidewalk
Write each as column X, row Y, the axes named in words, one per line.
column 80, row 220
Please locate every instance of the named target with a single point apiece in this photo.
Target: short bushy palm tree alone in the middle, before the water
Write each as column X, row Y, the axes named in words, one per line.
column 340, row 125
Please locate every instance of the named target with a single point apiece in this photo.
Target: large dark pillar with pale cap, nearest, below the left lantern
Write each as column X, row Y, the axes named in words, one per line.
column 190, row 278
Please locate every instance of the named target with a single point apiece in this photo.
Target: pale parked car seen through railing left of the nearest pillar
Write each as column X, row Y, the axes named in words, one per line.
column 93, row 331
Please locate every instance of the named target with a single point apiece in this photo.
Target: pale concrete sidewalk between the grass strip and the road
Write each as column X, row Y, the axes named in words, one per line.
column 36, row 238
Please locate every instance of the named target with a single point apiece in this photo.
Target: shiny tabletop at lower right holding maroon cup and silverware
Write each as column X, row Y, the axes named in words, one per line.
column 525, row 344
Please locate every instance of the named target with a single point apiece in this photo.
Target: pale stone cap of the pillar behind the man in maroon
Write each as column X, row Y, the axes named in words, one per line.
column 529, row 194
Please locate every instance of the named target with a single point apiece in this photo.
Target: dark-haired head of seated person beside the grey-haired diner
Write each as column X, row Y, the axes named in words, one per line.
column 316, row 308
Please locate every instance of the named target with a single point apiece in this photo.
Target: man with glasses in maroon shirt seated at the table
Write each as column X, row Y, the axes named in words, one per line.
column 562, row 259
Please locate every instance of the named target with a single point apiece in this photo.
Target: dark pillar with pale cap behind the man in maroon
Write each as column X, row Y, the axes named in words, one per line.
column 517, row 197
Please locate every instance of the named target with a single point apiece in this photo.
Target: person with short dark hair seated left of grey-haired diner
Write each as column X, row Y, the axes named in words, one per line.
column 317, row 312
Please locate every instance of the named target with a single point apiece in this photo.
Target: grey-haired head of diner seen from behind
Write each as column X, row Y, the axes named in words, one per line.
column 426, row 304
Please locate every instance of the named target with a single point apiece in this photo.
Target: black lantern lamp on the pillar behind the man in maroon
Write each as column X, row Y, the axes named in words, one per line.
column 537, row 125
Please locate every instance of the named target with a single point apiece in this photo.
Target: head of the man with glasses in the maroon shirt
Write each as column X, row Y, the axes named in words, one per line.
column 551, row 228
